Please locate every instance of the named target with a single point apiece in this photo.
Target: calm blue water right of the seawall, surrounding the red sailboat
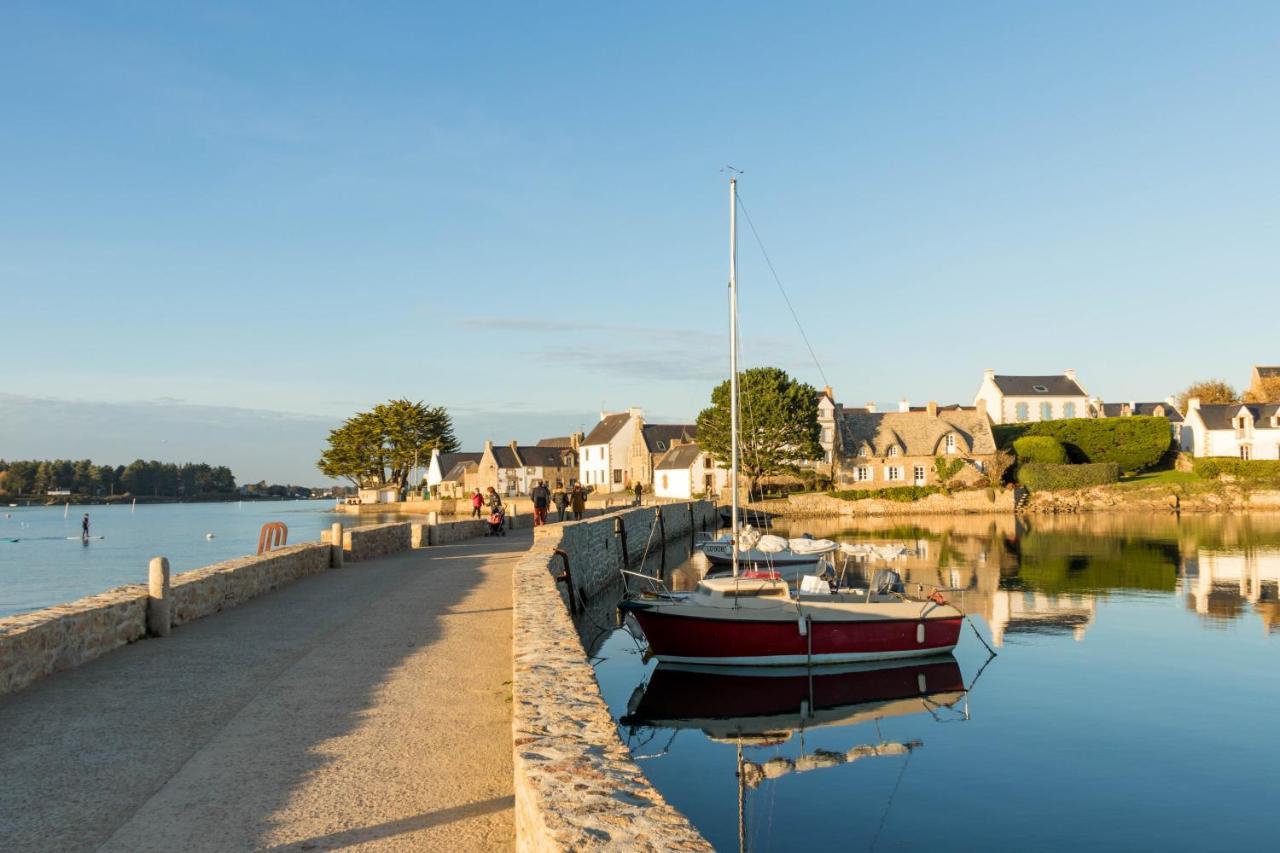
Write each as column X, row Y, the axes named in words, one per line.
column 1133, row 704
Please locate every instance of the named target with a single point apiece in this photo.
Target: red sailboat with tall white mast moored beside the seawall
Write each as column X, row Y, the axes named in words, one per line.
column 758, row 619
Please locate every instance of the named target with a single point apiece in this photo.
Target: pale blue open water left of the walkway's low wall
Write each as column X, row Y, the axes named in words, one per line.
column 48, row 568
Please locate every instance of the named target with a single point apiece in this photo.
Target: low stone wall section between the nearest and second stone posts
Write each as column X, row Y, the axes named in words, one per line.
column 207, row 591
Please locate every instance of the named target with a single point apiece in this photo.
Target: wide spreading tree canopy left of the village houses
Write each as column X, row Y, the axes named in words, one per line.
column 378, row 448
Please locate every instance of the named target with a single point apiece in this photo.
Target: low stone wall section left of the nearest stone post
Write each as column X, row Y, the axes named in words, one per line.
column 58, row 638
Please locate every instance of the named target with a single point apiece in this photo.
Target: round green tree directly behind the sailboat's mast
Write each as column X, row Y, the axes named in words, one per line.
column 779, row 425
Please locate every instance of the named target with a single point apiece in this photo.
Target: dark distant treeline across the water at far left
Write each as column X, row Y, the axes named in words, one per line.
column 139, row 478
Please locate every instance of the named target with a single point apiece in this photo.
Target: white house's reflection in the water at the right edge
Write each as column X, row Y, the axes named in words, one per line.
column 1223, row 583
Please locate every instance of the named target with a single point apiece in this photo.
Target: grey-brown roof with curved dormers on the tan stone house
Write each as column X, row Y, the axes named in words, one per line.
column 916, row 434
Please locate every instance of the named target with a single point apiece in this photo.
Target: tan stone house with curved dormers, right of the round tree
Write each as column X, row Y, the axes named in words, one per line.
column 884, row 450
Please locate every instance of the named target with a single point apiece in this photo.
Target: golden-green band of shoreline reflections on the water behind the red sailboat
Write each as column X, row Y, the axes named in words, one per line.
column 1046, row 576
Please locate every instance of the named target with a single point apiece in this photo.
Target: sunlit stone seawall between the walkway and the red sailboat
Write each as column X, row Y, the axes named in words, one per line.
column 575, row 783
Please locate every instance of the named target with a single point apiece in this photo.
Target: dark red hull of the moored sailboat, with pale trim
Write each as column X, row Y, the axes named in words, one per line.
column 769, row 642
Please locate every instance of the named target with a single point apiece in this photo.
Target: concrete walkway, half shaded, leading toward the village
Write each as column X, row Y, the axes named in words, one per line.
column 363, row 709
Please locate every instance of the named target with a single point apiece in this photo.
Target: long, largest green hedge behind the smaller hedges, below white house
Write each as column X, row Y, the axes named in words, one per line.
column 1135, row 443
